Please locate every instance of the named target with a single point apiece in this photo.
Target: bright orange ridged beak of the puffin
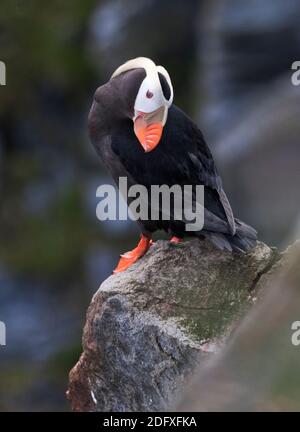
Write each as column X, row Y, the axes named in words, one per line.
column 148, row 133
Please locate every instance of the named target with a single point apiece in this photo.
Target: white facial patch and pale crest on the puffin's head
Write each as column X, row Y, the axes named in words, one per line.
column 150, row 96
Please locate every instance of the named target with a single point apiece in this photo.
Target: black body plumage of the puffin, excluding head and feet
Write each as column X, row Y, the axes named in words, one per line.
column 181, row 157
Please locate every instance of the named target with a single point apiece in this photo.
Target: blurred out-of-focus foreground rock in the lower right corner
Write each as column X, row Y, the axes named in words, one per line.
column 259, row 369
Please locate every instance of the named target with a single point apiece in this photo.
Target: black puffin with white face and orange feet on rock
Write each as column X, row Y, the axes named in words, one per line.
column 140, row 134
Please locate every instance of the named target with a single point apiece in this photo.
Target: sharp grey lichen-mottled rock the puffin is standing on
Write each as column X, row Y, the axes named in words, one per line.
column 148, row 328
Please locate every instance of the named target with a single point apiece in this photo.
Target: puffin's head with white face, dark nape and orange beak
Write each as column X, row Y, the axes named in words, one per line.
column 143, row 92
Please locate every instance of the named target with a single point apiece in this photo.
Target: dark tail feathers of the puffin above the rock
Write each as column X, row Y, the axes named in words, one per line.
column 244, row 239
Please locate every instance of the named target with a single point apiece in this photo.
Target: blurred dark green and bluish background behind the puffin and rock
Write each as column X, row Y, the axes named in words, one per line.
column 230, row 63
